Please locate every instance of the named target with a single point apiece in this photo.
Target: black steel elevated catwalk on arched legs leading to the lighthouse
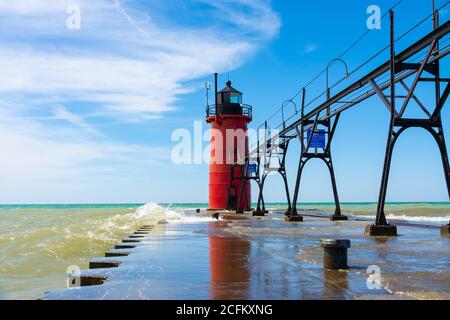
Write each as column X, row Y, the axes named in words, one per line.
column 419, row 62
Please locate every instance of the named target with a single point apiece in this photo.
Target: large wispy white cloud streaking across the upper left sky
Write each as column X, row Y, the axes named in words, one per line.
column 124, row 64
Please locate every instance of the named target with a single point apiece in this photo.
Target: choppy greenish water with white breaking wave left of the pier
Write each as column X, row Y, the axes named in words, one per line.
column 38, row 243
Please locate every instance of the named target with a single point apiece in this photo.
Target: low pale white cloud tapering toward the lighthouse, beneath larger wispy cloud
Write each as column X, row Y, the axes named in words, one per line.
column 34, row 153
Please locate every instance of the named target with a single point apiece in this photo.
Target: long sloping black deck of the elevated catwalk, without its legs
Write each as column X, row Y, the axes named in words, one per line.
column 415, row 48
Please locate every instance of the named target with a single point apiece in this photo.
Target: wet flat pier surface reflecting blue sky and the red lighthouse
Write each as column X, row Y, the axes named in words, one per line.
column 267, row 258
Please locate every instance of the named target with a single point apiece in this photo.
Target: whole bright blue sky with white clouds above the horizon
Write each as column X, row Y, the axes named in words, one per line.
column 87, row 115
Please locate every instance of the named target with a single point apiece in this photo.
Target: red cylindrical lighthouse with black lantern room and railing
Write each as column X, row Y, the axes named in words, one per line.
column 229, row 143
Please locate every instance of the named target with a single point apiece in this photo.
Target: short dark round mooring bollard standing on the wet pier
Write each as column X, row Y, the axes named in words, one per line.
column 335, row 253
